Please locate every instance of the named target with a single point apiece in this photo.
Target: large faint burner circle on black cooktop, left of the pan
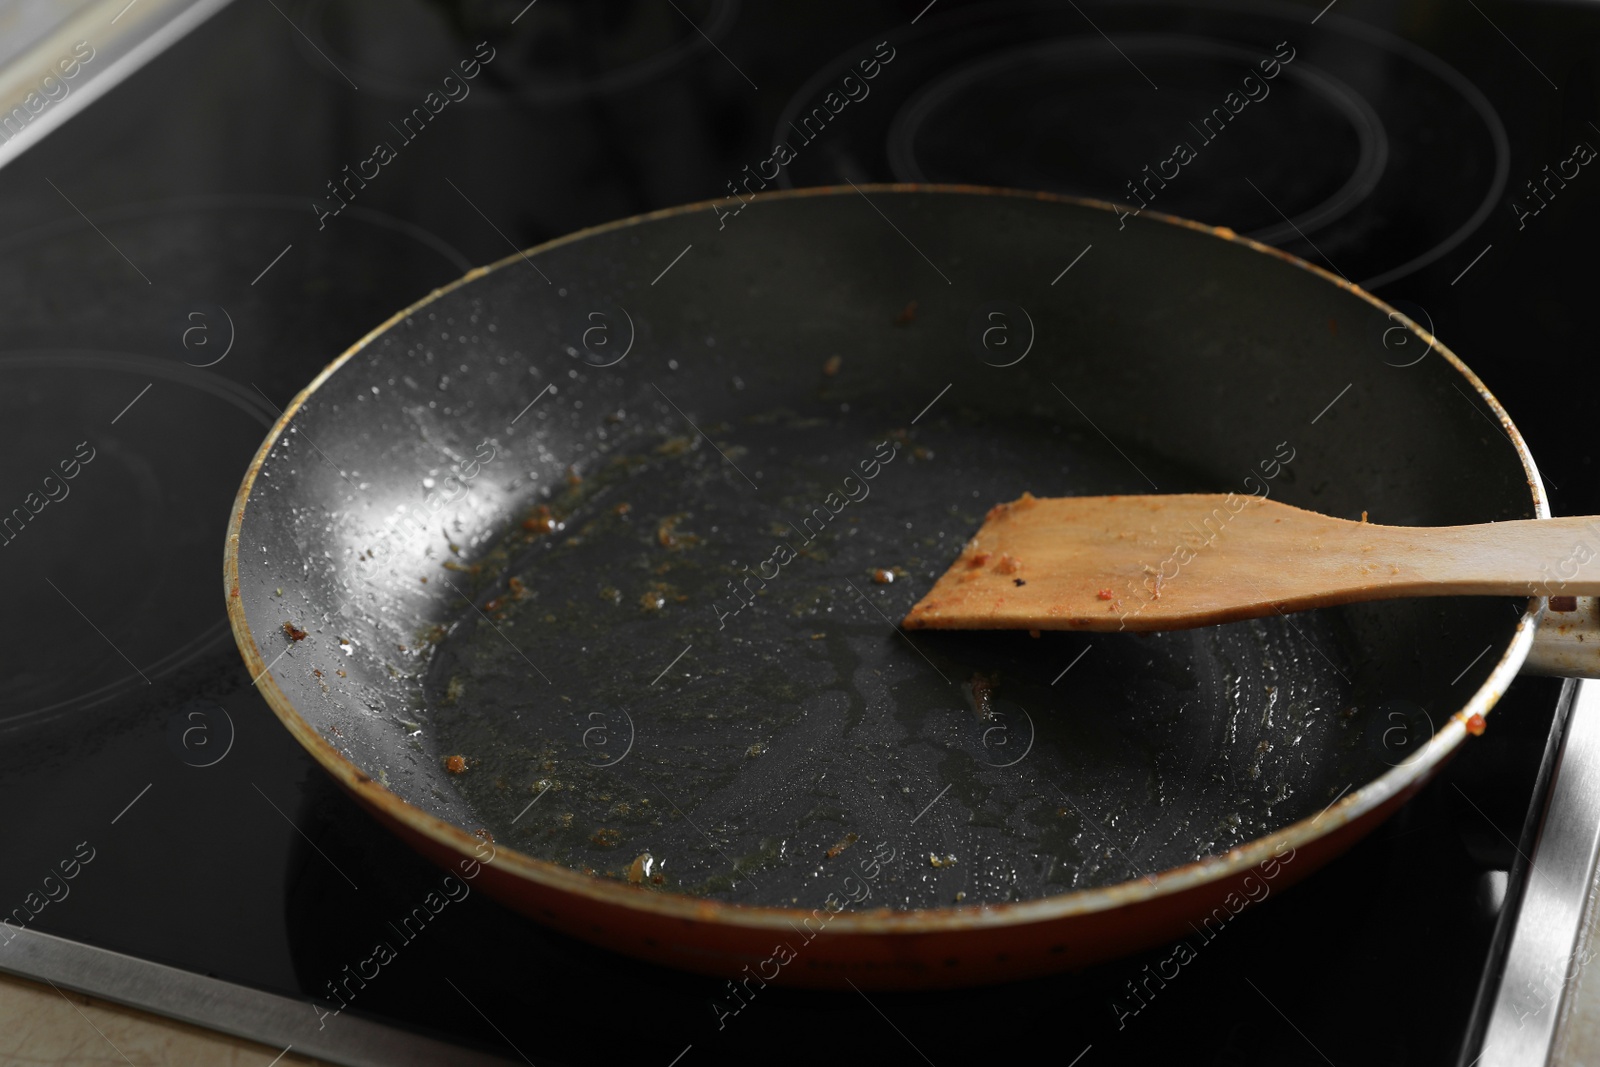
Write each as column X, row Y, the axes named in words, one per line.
column 204, row 351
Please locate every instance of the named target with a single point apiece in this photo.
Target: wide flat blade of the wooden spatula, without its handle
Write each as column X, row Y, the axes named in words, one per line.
column 1156, row 564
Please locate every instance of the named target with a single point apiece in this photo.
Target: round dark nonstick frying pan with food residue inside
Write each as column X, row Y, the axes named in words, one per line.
column 580, row 575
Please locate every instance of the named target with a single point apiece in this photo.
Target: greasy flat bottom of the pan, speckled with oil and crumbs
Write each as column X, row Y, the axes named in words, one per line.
column 695, row 685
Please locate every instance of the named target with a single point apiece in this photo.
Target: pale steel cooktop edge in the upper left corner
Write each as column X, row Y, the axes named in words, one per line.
column 124, row 38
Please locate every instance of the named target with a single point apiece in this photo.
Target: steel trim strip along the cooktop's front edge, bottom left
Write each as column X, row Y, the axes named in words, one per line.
column 217, row 1005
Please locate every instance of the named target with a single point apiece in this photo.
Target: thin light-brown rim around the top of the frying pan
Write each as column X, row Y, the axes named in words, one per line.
column 1346, row 809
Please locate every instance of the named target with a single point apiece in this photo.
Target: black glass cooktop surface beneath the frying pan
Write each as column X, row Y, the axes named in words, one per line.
column 191, row 249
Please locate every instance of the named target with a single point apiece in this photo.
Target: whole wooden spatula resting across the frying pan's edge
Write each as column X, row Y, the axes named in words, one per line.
column 1185, row 561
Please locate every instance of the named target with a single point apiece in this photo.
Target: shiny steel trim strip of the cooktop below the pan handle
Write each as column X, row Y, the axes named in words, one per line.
column 1537, row 978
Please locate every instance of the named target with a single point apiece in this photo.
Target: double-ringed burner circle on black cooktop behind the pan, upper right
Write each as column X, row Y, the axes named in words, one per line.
column 1234, row 114
